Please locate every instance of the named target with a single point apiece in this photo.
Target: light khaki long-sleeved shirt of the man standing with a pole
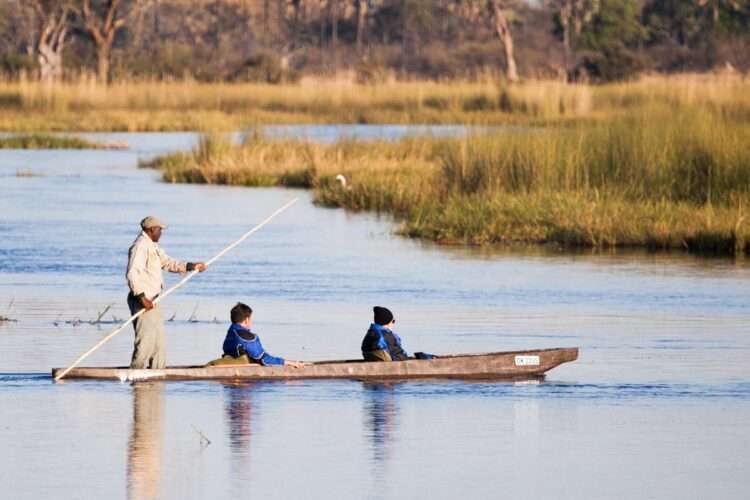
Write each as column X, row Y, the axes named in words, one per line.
column 145, row 262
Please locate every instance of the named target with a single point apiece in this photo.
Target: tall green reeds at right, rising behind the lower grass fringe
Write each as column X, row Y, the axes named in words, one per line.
column 691, row 156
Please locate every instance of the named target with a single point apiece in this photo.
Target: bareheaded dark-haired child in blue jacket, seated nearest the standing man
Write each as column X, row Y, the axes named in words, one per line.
column 240, row 340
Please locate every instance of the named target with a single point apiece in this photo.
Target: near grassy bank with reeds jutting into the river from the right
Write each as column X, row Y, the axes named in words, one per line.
column 658, row 177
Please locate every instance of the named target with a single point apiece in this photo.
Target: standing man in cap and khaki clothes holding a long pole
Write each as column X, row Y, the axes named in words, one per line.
column 145, row 262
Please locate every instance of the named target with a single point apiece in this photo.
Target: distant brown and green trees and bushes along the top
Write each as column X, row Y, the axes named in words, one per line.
column 372, row 40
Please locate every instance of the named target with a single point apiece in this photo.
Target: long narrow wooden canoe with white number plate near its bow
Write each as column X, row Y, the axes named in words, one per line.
column 497, row 365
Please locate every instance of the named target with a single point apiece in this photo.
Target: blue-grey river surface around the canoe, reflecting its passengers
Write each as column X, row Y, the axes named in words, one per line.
column 657, row 406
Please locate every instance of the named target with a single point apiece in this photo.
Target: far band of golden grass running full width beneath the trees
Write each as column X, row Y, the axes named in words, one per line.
column 188, row 105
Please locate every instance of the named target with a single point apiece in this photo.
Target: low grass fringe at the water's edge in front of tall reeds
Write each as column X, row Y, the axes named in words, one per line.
column 581, row 220
